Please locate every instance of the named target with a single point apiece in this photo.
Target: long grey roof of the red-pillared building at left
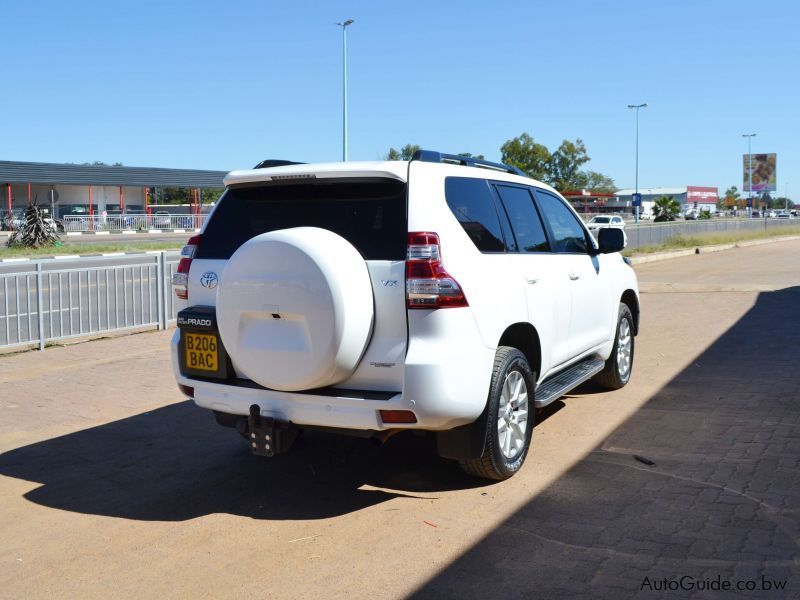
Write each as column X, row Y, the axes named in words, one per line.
column 68, row 174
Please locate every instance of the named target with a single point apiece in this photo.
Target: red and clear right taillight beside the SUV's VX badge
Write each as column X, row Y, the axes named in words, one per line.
column 428, row 285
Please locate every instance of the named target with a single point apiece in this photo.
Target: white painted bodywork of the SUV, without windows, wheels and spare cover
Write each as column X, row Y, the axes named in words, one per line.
column 437, row 362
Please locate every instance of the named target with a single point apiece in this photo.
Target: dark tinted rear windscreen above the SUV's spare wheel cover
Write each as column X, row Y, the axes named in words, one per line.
column 368, row 213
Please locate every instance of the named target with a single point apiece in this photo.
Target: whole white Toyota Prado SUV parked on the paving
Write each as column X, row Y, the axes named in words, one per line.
column 446, row 294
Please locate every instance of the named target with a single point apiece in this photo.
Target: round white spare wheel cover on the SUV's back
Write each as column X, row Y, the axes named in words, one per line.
column 295, row 308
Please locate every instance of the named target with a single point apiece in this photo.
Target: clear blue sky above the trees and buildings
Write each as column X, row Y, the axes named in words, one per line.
column 223, row 85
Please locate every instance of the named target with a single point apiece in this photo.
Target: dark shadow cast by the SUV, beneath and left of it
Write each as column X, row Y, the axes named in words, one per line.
column 175, row 463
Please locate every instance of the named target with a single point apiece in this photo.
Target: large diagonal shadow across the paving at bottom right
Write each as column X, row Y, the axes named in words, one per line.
column 720, row 499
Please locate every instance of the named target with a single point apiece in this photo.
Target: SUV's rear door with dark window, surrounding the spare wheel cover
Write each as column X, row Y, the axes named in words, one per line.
column 370, row 213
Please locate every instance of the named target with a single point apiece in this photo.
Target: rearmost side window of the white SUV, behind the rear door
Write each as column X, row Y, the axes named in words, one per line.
column 471, row 201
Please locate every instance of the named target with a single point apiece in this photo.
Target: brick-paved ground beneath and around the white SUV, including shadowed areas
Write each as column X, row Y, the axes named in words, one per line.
column 112, row 484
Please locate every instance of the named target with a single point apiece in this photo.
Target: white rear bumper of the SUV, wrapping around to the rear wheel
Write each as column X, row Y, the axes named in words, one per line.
column 447, row 376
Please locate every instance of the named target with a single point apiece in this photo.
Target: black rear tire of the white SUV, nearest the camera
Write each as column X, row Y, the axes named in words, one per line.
column 494, row 464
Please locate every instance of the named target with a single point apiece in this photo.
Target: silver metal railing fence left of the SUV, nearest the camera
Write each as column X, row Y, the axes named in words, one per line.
column 50, row 300
